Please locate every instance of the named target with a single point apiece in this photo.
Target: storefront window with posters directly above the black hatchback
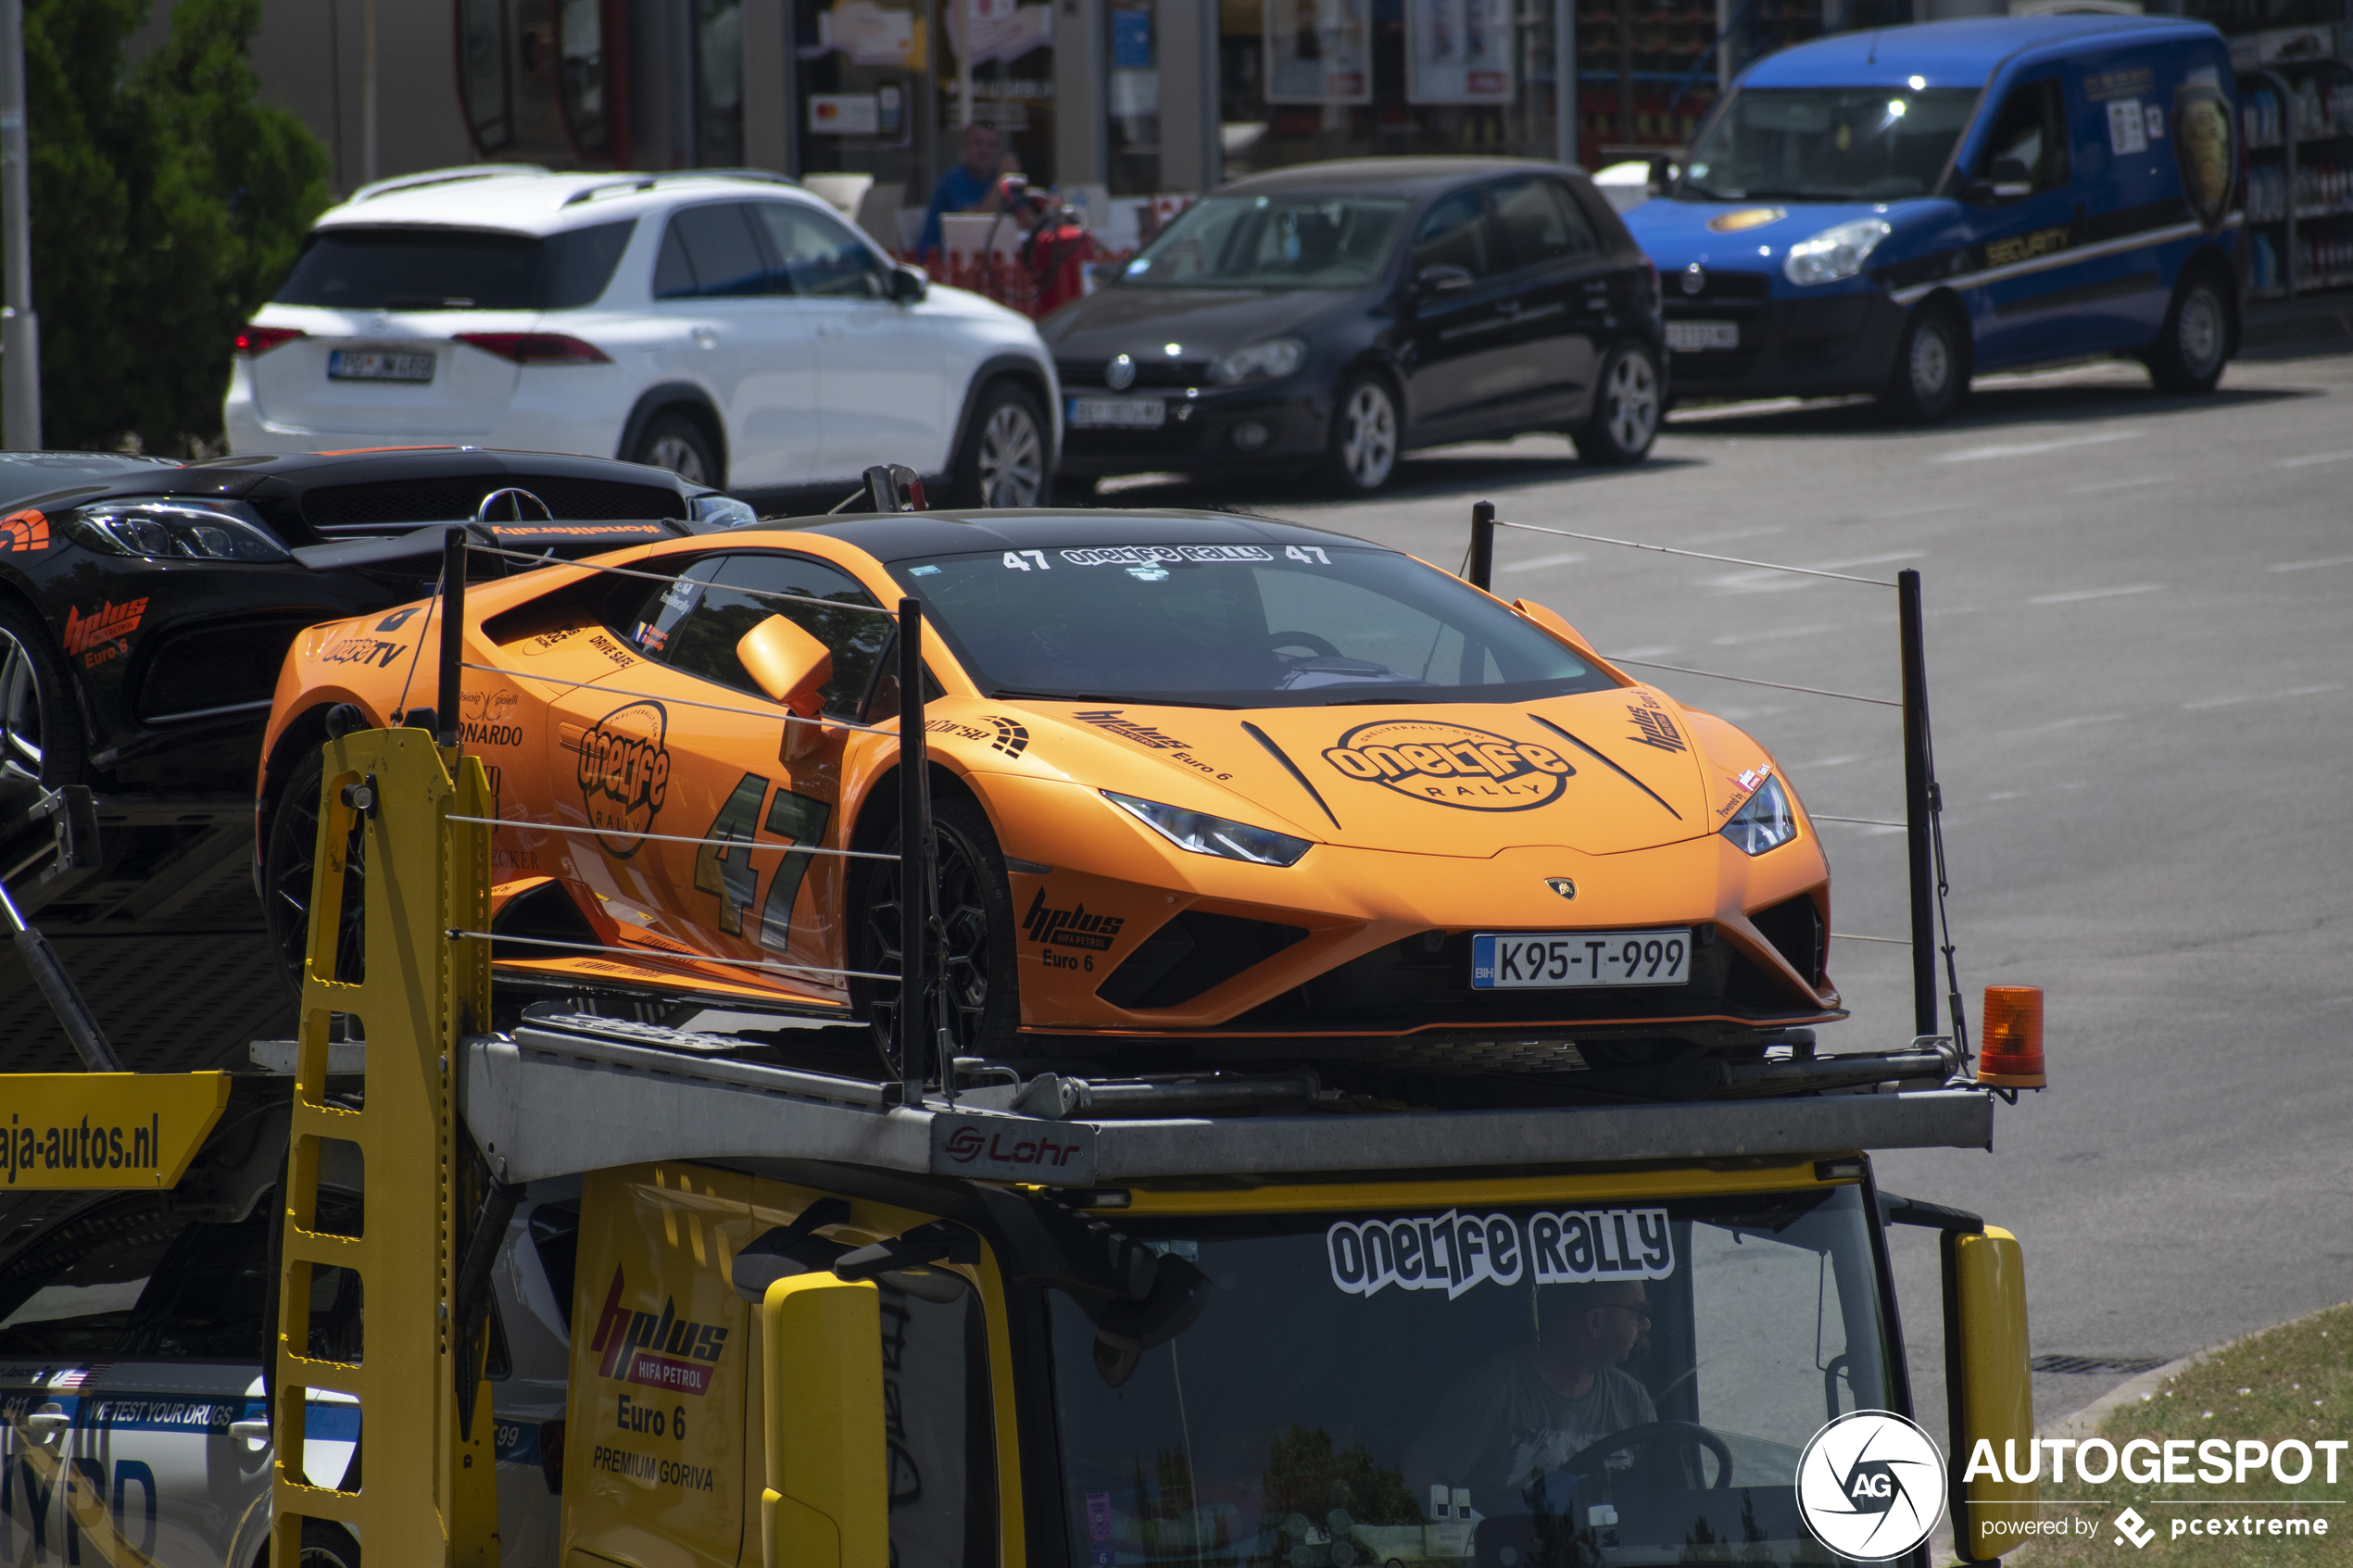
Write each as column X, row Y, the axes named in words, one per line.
column 1375, row 79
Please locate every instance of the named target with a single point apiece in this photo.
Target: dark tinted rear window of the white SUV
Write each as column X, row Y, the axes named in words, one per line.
column 455, row 269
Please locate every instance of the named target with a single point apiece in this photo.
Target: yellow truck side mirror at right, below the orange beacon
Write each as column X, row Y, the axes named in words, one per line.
column 1989, row 1388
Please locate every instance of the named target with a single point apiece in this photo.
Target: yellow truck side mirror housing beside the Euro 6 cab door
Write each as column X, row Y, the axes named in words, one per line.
column 825, row 1496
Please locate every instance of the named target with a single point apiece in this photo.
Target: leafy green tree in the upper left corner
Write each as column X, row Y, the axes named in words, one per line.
column 168, row 201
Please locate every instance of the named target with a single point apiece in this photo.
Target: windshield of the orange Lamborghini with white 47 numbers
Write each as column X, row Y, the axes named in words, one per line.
column 1237, row 626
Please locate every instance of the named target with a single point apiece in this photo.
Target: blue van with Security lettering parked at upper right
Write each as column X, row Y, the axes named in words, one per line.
column 1898, row 210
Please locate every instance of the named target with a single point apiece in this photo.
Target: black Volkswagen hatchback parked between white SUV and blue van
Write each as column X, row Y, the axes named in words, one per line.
column 1333, row 316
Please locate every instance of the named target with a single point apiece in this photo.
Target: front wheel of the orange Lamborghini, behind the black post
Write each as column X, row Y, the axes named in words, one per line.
column 978, row 906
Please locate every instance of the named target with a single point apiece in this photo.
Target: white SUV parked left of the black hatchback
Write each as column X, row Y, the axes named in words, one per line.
column 716, row 323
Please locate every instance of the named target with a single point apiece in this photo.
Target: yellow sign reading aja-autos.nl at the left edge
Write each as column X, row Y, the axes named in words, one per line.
column 105, row 1130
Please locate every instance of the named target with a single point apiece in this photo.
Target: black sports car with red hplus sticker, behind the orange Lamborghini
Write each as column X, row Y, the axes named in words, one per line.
column 145, row 608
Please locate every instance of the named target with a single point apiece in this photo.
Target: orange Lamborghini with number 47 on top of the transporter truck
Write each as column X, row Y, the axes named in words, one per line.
column 1206, row 791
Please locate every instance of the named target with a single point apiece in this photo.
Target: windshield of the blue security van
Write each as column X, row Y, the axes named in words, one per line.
column 1827, row 145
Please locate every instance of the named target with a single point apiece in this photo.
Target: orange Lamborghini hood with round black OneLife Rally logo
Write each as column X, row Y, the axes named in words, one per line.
column 1601, row 772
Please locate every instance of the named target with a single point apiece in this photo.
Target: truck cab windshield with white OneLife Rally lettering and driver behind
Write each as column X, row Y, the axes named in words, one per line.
column 1521, row 1386
